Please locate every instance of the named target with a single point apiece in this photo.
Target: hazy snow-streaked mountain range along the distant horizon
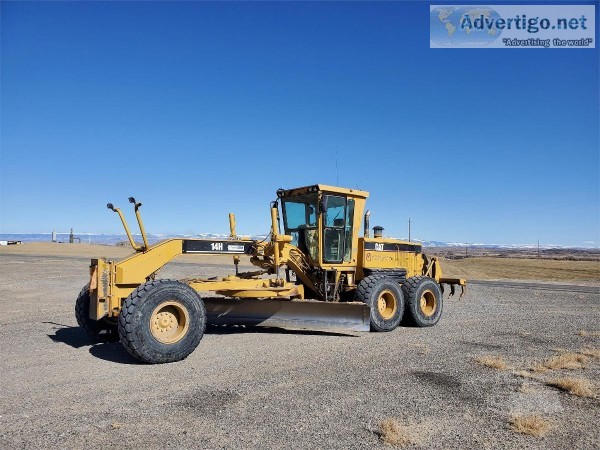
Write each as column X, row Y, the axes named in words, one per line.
column 111, row 239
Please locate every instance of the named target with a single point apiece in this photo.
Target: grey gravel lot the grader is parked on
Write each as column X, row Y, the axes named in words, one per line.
column 277, row 389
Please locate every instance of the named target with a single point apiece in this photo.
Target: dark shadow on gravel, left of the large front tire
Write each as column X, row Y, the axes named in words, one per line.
column 109, row 349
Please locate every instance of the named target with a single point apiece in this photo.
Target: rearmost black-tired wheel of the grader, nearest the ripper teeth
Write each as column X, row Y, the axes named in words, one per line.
column 424, row 301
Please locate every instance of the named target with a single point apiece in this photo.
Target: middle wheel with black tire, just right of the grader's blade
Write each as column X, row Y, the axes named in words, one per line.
column 385, row 299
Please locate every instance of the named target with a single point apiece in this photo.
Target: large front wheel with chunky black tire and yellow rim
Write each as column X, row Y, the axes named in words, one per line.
column 162, row 321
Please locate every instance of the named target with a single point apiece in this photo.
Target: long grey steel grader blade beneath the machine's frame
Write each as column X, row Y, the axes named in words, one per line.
column 292, row 314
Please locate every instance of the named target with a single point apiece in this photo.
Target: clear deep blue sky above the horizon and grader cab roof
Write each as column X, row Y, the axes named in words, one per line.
column 199, row 109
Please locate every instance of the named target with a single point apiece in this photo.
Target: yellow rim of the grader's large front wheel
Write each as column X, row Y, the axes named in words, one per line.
column 169, row 322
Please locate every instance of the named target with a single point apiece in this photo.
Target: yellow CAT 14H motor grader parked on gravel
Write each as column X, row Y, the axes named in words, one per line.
column 318, row 274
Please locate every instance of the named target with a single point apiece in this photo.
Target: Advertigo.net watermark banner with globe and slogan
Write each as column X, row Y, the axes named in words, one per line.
column 512, row 26
